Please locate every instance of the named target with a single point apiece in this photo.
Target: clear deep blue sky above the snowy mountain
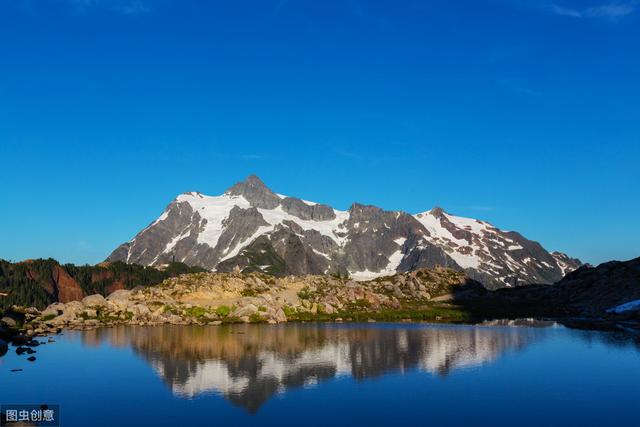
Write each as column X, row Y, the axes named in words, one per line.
column 522, row 113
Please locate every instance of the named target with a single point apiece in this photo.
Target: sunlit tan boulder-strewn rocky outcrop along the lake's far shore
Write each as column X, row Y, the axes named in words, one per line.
column 215, row 298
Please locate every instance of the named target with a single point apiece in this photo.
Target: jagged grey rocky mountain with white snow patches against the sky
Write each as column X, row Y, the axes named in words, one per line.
column 255, row 229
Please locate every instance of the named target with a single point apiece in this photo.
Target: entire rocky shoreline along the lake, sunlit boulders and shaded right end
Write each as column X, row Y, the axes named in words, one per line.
column 434, row 295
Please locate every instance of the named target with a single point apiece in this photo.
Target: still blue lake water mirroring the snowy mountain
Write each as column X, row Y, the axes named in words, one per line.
column 332, row 375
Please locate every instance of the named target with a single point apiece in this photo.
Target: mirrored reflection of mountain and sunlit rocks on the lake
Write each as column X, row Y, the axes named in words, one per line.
column 248, row 364
